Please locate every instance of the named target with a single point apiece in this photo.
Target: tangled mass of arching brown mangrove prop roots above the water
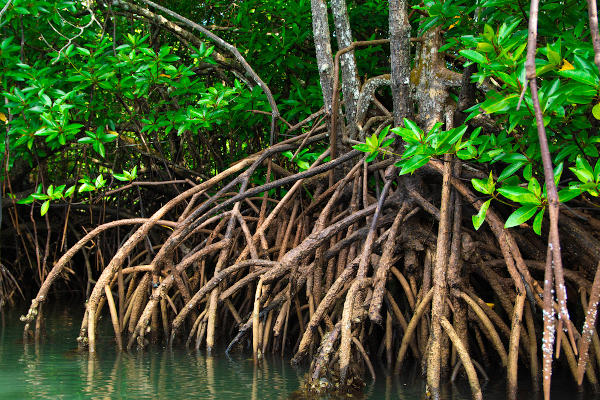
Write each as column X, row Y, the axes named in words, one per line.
column 342, row 277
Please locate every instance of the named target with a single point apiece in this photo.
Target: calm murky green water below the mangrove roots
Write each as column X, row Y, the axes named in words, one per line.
column 55, row 370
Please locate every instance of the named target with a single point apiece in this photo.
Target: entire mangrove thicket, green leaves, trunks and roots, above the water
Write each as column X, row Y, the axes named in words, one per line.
column 315, row 176
